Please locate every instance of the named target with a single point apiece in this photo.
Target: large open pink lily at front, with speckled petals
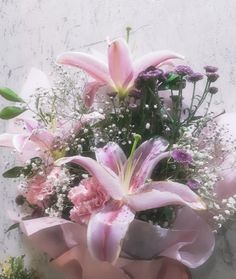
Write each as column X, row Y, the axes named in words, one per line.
column 125, row 181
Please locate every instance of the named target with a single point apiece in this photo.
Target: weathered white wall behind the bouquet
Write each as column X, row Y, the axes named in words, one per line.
column 34, row 32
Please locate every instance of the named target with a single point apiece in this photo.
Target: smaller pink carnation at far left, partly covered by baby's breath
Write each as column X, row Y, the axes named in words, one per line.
column 41, row 187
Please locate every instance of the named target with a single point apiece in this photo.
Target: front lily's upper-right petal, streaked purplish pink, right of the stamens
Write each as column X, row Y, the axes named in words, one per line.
column 145, row 159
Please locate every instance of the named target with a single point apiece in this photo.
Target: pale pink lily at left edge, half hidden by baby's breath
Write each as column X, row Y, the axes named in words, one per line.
column 38, row 141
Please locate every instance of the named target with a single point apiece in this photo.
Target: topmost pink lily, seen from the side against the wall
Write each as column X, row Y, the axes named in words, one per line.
column 119, row 72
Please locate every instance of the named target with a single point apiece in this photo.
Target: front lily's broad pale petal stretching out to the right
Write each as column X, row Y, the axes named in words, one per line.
column 159, row 194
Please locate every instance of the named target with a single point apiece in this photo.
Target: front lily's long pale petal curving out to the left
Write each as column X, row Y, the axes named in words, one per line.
column 107, row 179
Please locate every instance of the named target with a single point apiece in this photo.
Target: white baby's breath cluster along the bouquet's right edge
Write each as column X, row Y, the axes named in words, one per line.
column 205, row 141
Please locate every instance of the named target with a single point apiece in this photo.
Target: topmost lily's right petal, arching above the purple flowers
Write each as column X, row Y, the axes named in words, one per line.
column 153, row 59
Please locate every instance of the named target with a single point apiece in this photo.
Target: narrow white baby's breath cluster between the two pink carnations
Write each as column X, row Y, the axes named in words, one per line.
column 62, row 187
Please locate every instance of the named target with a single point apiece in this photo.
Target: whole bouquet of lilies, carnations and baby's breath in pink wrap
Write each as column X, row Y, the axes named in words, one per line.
column 123, row 167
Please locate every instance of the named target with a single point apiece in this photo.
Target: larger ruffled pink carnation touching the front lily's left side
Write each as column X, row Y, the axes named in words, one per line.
column 87, row 198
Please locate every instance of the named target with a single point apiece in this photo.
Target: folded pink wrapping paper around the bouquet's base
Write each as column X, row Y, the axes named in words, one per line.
column 65, row 243
